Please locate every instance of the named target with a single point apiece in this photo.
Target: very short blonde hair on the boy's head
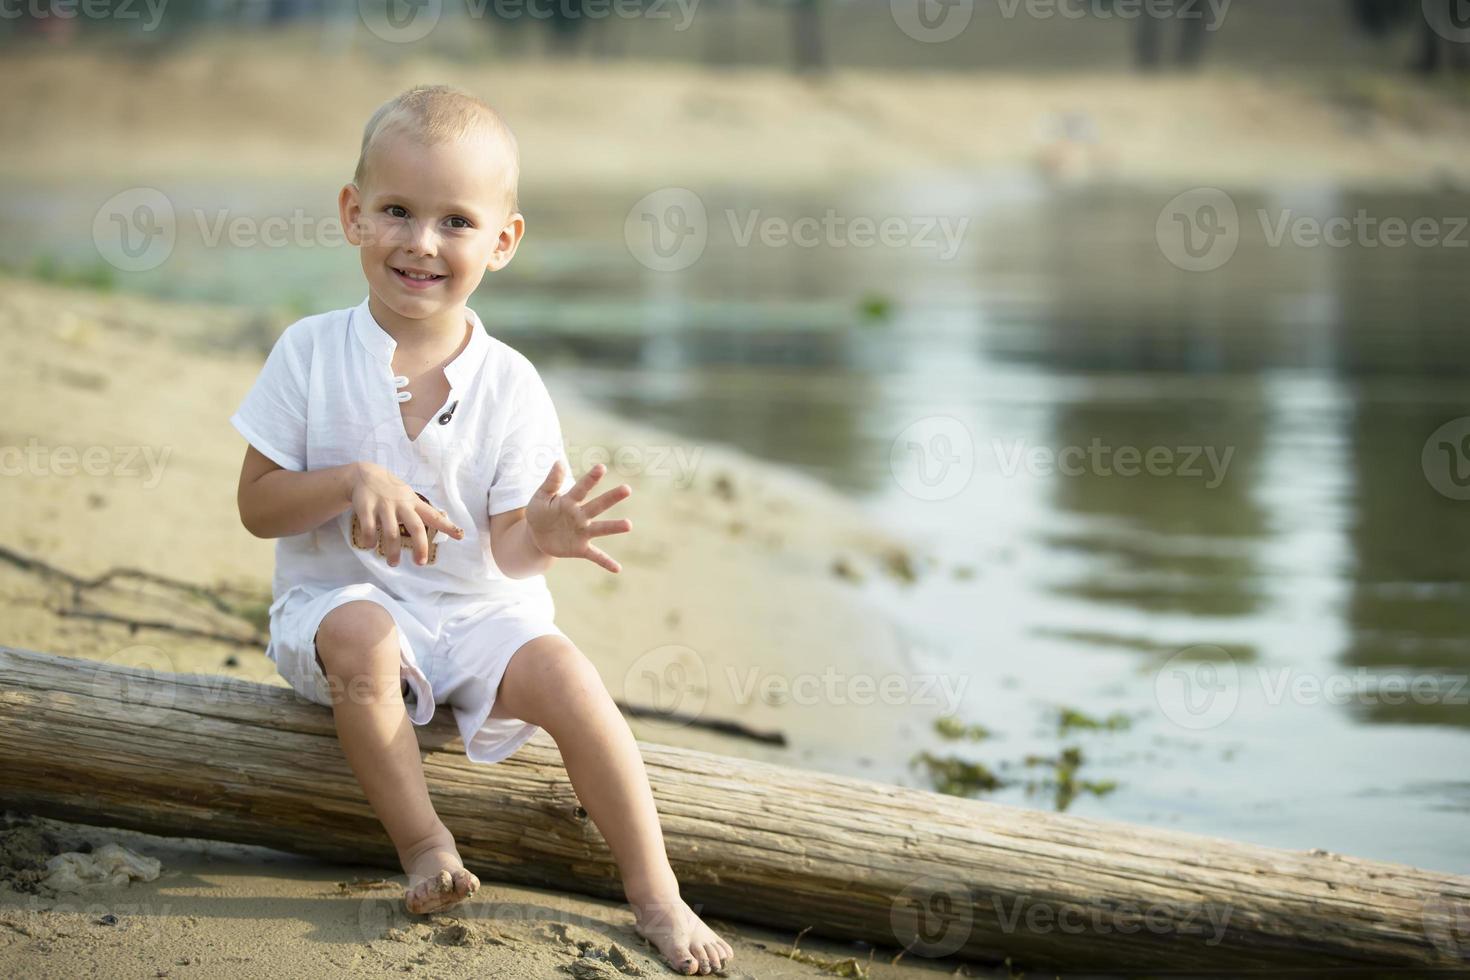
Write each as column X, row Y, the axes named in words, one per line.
column 442, row 114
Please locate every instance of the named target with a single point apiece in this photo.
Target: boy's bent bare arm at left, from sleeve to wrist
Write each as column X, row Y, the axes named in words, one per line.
column 276, row 503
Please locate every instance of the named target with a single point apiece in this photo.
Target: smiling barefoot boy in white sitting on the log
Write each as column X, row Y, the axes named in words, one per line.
column 349, row 475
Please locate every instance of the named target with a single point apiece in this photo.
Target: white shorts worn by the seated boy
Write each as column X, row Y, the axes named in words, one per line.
column 453, row 653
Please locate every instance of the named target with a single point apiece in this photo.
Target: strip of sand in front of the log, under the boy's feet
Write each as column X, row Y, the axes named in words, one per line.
column 243, row 912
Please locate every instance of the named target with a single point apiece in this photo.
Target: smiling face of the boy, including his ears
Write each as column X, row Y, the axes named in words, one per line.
column 430, row 209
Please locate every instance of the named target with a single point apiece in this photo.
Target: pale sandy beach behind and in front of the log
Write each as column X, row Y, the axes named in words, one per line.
column 731, row 568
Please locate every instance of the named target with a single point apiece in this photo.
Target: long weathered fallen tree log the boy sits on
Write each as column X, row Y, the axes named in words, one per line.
column 212, row 757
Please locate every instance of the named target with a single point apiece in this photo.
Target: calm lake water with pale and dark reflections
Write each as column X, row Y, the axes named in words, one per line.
column 1162, row 461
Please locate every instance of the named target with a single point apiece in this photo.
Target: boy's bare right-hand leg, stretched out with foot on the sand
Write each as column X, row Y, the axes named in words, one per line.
column 551, row 684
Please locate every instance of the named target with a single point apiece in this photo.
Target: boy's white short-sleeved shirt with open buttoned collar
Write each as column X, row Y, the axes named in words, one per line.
column 327, row 396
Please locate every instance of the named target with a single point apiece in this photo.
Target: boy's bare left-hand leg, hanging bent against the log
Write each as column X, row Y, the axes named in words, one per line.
column 358, row 647
